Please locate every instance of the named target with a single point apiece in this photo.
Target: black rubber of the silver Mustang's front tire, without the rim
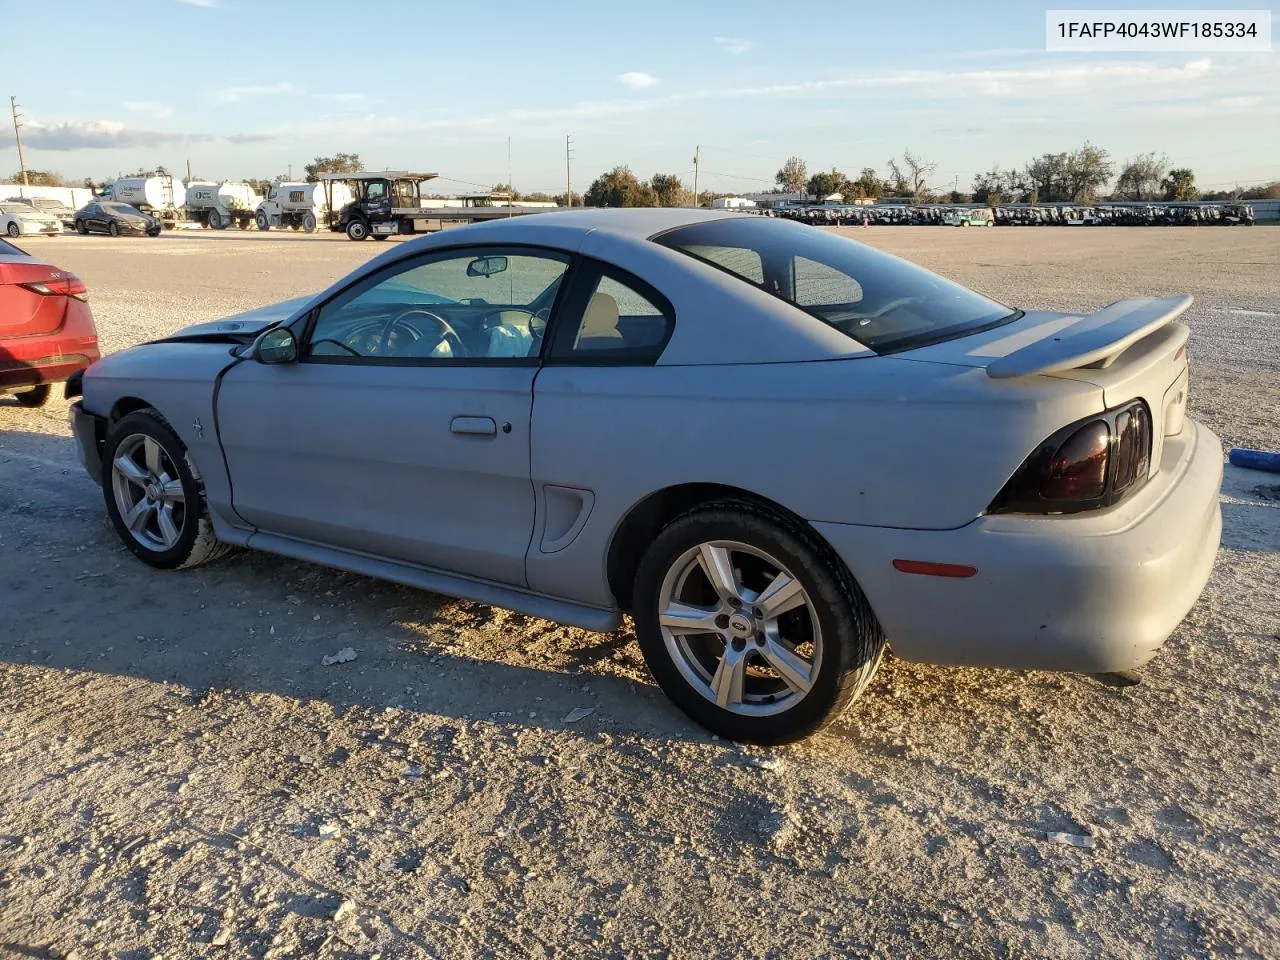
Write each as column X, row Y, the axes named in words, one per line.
column 196, row 542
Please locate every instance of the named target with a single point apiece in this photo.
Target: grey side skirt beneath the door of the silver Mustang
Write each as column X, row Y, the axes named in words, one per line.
column 575, row 615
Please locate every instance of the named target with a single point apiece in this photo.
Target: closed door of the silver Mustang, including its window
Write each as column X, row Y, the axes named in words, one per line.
column 403, row 431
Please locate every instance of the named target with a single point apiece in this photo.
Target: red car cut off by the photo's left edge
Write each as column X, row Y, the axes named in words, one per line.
column 47, row 328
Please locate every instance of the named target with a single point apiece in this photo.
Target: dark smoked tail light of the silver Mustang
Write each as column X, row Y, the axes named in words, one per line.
column 1087, row 465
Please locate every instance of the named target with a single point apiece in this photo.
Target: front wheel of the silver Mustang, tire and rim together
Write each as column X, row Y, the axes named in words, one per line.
column 154, row 497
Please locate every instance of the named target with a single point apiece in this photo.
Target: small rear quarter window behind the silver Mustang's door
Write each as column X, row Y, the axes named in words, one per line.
column 616, row 319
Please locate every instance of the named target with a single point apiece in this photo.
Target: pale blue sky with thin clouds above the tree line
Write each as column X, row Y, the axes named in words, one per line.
column 255, row 88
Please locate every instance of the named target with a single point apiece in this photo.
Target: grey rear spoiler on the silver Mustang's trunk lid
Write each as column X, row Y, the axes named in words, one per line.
column 1094, row 340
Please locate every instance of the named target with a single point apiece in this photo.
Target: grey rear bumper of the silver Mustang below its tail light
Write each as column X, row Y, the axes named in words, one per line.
column 1087, row 593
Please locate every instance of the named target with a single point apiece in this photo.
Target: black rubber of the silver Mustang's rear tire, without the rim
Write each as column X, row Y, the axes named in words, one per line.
column 852, row 638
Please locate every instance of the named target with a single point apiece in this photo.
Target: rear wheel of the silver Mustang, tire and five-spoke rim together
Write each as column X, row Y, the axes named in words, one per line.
column 752, row 625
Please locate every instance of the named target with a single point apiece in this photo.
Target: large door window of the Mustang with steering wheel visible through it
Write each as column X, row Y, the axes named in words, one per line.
column 483, row 304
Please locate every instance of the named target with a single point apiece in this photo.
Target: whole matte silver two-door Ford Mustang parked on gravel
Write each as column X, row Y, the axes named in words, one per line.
column 776, row 449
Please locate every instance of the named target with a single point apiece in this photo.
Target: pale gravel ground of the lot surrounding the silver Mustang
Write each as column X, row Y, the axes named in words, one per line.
column 181, row 778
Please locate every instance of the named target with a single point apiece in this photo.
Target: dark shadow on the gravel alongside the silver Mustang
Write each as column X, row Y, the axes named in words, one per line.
column 257, row 623
